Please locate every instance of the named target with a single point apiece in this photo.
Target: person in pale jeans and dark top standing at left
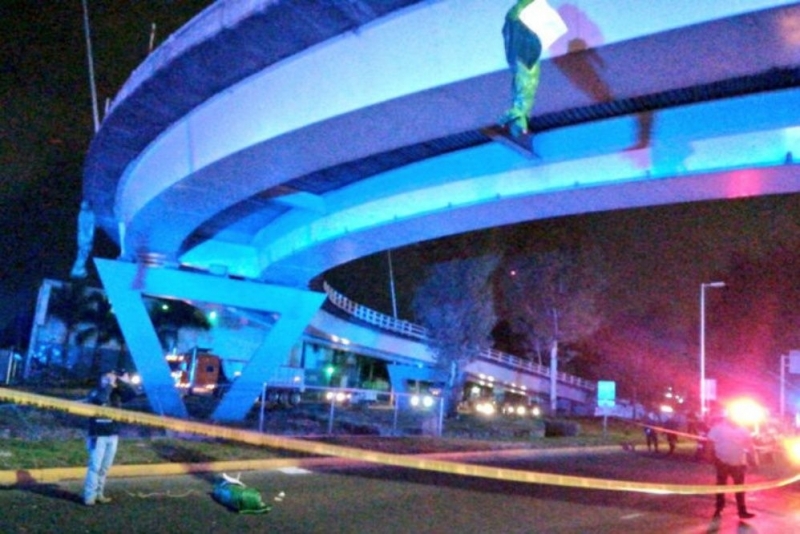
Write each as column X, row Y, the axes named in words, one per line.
column 103, row 437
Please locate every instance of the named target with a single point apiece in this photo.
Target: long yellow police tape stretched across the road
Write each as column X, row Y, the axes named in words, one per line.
column 362, row 455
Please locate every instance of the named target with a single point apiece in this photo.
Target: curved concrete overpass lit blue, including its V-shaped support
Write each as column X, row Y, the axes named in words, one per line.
column 269, row 141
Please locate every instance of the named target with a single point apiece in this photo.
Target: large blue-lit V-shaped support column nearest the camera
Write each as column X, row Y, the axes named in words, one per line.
column 125, row 283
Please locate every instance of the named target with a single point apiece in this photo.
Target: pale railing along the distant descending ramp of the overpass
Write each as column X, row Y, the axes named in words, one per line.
column 407, row 328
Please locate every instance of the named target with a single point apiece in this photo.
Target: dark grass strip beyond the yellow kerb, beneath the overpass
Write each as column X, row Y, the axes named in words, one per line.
column 32, row 438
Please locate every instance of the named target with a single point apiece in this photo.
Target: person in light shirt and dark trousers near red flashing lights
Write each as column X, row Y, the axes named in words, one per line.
column 730, row 444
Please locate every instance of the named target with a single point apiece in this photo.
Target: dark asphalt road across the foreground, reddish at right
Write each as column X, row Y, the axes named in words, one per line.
column 377, row 499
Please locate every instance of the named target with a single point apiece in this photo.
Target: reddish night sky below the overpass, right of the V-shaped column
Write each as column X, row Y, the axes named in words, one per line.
column 658, row 257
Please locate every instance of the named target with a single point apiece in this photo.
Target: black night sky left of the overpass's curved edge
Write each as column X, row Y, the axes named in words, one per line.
column 46, row 126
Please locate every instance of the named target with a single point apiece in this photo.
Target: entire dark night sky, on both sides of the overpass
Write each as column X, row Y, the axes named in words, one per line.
column 659, row 255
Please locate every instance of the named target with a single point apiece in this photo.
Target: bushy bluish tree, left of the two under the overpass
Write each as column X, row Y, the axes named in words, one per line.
column 455, row 304
